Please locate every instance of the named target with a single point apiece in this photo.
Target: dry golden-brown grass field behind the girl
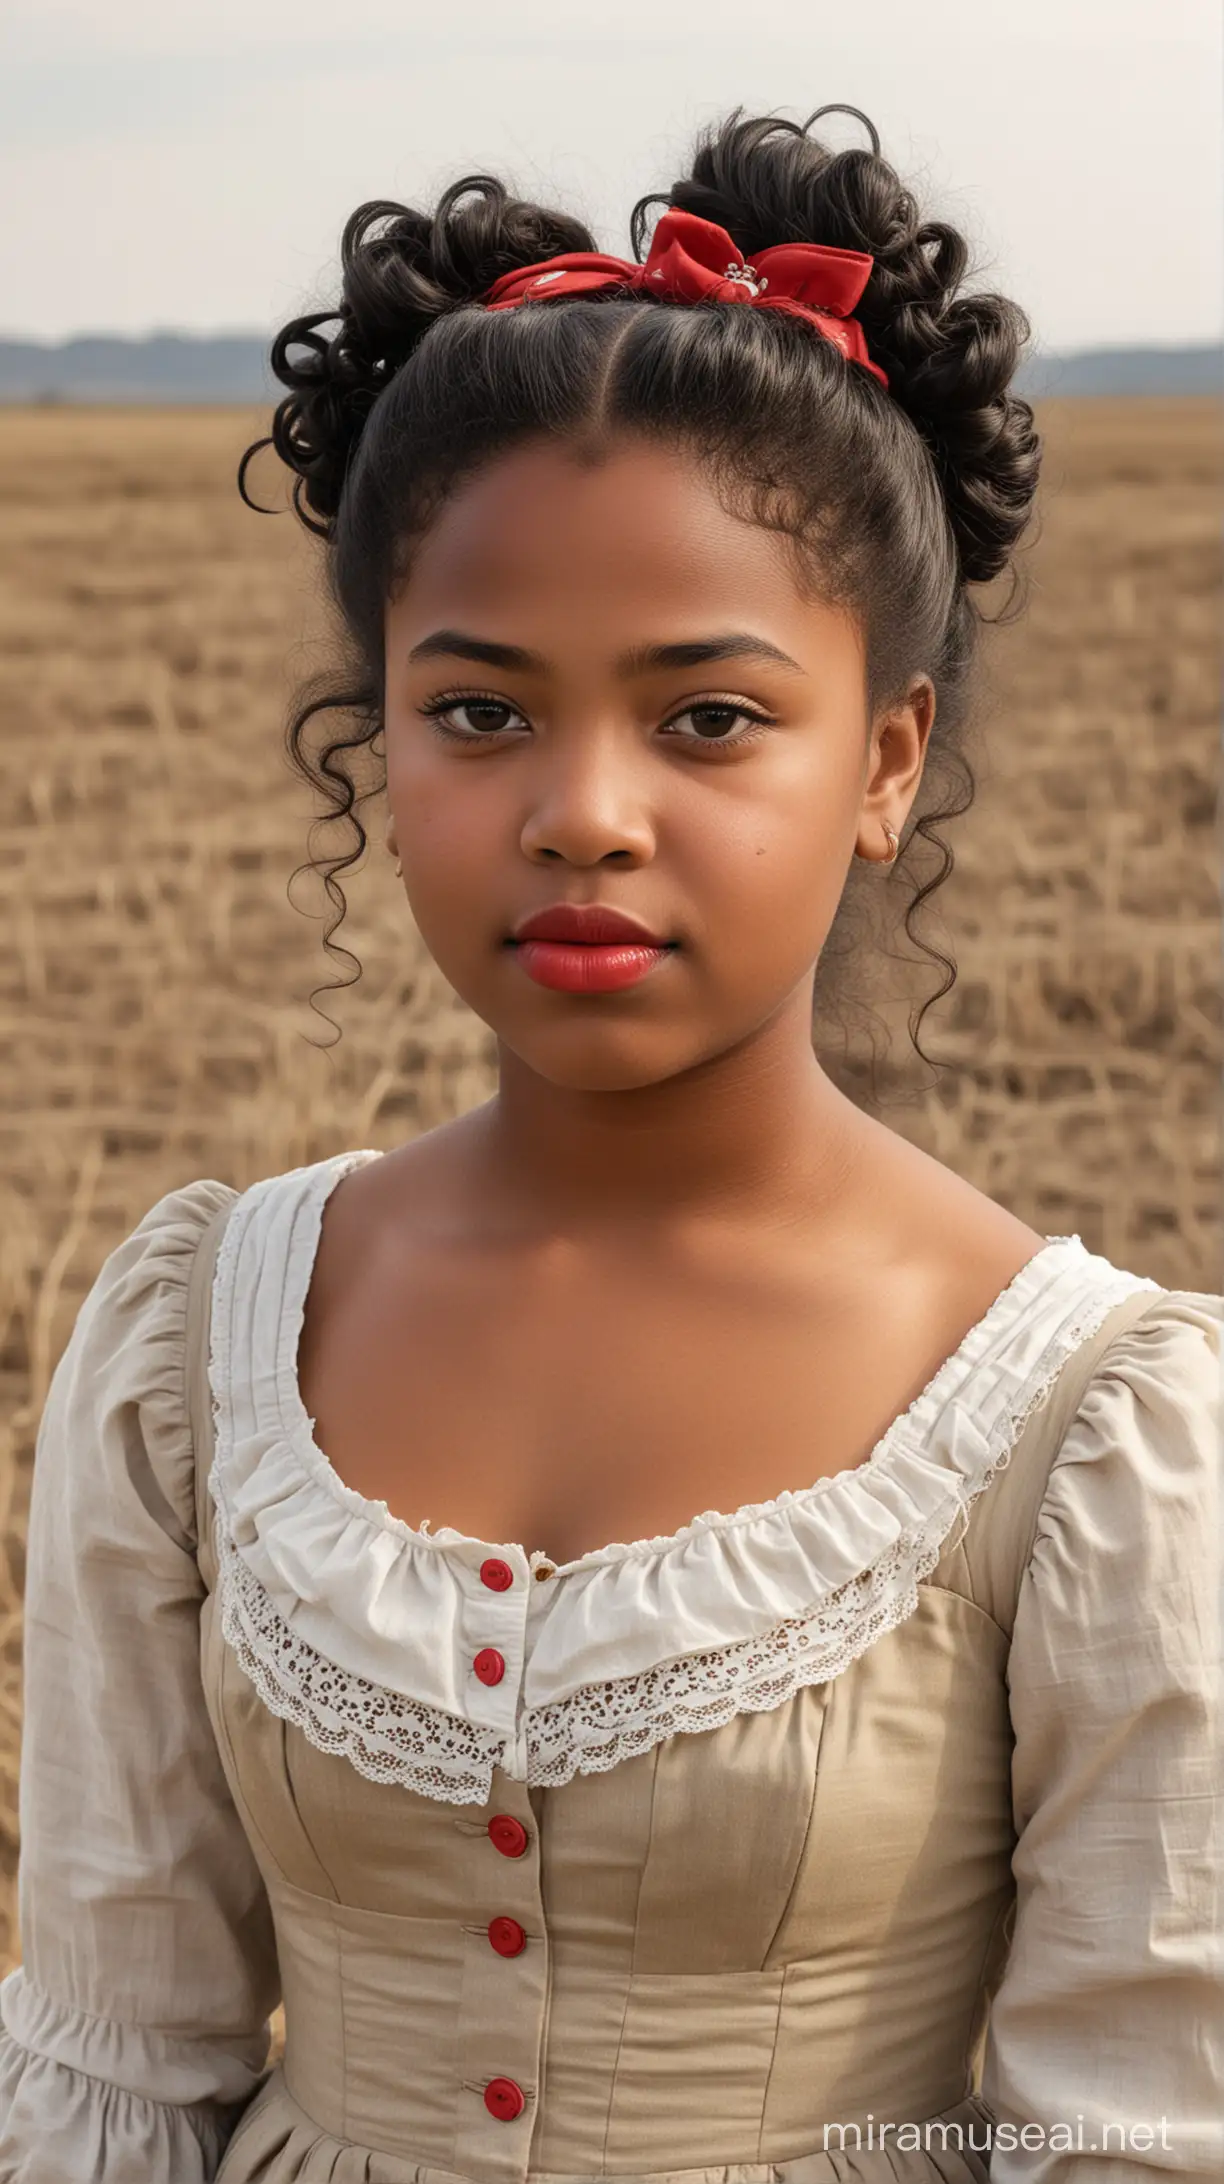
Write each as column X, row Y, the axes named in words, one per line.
column 156, row 980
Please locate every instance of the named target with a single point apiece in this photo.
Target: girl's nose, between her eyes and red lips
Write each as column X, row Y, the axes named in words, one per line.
column 589, row 800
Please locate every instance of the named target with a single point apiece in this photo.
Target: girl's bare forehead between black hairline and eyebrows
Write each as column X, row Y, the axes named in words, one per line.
column 548, row 532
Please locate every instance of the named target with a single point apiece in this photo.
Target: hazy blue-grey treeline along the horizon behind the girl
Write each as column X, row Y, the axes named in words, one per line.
column 233, row 368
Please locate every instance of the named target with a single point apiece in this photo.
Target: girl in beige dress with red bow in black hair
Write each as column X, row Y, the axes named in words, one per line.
column 862, row 1825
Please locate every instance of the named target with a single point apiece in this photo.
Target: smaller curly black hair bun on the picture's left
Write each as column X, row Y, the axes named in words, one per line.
column 401, row 272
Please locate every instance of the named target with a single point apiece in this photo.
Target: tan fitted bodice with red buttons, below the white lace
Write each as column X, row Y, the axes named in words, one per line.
column 718, row 1947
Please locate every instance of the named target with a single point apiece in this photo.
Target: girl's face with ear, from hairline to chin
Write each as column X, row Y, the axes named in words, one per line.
column 604, row 689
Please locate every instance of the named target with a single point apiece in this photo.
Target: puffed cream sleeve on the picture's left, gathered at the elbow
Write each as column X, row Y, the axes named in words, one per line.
column 137, row 2026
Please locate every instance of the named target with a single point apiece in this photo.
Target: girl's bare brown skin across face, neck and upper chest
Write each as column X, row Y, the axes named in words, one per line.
column 670, row 1268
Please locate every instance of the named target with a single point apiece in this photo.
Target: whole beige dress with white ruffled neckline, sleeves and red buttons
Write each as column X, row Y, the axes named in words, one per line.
column 869, row 1833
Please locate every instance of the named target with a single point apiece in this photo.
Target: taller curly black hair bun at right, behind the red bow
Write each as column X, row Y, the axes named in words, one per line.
column 950, row 357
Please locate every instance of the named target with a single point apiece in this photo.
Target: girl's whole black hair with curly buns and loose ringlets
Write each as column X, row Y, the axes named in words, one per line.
column 902, row 501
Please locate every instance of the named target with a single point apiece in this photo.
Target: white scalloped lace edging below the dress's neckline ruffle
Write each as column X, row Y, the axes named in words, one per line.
column 438, row 1755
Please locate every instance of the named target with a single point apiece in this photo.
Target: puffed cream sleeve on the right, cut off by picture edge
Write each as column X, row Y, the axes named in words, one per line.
column 1105, row 2052
